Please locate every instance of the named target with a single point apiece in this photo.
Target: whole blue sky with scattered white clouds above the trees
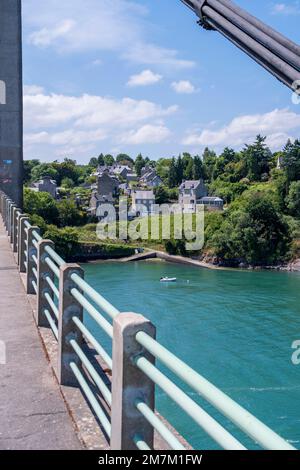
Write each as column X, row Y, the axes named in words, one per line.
column 133, row 76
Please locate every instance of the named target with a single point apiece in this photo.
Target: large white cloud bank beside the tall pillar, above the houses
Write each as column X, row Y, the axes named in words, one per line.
column 59, row 124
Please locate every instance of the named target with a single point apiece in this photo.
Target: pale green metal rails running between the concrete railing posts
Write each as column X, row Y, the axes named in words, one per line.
column 87, row 372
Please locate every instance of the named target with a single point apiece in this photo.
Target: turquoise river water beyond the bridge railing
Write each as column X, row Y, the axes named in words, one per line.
column 235, row 328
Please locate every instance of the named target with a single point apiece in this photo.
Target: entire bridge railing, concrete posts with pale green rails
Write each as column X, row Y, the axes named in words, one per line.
column 126, row 406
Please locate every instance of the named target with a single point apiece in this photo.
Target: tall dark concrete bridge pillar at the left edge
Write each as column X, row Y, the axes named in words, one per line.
column 11, row 126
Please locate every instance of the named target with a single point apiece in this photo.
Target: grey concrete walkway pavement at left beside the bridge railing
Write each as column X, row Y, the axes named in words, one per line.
column 33, row 414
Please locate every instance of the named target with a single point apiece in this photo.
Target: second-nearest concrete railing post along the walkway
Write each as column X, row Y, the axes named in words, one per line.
column 67, row 330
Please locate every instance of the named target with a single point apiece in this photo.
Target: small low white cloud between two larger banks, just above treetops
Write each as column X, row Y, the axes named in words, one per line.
column 148, row 134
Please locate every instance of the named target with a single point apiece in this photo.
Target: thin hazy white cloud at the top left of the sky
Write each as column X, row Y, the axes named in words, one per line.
column 77, row 26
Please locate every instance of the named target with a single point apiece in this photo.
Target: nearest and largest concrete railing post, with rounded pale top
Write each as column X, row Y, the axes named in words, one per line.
column 129, row 383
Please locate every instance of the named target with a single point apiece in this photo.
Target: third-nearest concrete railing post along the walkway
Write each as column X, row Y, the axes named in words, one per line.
column 43, row 287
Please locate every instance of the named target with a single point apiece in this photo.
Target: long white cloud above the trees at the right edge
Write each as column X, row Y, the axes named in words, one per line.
column 277, row 125
